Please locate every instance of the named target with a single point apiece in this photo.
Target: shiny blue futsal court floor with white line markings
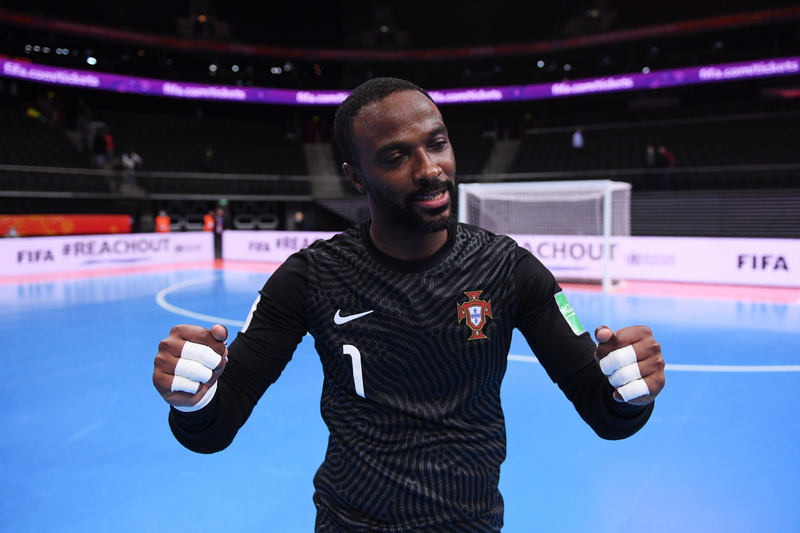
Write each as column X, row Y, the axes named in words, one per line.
column 87, row 447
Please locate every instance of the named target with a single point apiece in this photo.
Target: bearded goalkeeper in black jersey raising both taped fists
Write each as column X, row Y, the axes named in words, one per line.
column 412, row 315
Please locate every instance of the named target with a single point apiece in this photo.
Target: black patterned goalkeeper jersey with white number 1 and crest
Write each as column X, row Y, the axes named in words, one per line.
column 413, row 355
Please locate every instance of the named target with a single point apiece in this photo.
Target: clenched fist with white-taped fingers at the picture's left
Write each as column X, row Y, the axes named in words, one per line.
column 199, row 365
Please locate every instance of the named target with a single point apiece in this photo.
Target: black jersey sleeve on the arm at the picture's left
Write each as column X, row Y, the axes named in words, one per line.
column 256, row 358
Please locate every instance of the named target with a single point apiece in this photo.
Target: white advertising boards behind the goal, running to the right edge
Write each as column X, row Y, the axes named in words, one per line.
column 765, row 262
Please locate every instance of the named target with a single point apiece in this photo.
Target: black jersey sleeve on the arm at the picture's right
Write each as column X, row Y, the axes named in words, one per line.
column 568, row 357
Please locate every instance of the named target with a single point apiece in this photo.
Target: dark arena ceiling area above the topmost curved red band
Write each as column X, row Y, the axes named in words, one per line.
column 421, row 24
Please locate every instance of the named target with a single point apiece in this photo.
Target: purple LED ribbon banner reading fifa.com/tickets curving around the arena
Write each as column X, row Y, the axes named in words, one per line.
column 195, row 91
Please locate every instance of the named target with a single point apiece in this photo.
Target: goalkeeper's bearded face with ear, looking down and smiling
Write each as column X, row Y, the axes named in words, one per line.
column 407, row 164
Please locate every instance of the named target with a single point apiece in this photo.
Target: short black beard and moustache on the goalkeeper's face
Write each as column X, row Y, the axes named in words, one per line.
column 406, row 215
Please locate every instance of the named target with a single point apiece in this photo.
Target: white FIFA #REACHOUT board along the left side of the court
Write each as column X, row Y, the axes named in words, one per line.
column 39, row 255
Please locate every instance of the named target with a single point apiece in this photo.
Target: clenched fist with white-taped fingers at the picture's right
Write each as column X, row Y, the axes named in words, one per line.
column 631, row 359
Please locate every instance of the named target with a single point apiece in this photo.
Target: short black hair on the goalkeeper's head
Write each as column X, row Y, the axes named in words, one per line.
column 365, row 94
